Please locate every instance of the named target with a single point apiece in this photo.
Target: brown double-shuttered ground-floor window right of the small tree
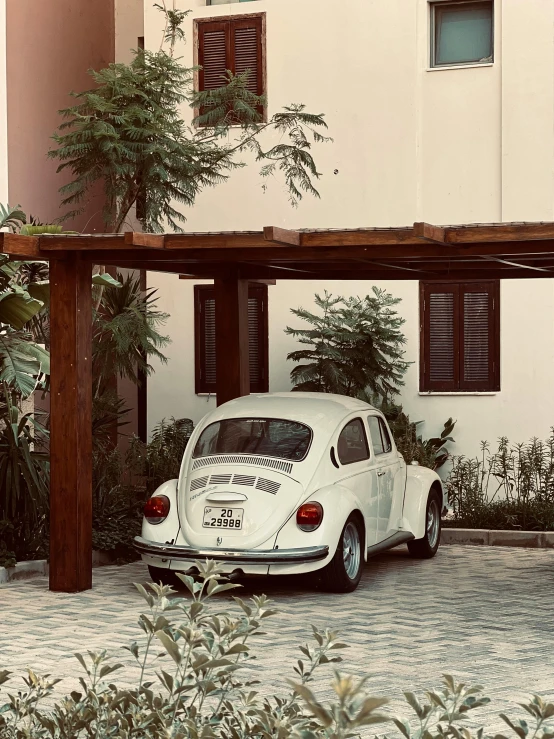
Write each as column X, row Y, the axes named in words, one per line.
column 460, row 336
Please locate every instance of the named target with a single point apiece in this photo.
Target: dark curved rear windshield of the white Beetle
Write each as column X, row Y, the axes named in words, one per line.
column 268, row 437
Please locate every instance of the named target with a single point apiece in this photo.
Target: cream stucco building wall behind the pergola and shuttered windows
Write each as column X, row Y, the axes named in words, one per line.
column 445, row 146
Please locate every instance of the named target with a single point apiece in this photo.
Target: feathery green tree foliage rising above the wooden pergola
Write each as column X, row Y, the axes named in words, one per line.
column 128, row 133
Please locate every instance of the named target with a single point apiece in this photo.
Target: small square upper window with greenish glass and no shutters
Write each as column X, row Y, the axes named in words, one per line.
column 461, row 33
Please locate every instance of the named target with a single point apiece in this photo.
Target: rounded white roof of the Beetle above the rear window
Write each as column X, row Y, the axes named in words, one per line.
column 310, row 408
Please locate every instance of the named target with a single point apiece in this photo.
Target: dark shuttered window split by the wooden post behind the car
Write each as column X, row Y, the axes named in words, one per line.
column 204, row 313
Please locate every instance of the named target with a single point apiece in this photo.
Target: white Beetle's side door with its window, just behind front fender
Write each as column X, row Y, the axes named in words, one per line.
column 387, row 466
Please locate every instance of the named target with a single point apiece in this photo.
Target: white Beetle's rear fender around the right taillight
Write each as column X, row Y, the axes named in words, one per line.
column 338, row 505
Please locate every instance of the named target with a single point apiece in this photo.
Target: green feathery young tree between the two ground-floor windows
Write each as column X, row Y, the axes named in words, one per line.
column 354, row 347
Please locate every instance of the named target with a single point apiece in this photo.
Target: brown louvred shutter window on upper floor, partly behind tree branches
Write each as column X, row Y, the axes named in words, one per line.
column 234, row 44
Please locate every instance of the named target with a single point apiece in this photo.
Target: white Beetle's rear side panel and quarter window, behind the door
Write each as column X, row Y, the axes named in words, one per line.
column 357, row 472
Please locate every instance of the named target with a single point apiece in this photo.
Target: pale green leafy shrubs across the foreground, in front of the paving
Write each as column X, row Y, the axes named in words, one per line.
column 194, row 688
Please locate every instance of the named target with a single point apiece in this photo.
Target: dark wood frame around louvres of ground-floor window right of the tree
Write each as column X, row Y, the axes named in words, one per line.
column 459, row 288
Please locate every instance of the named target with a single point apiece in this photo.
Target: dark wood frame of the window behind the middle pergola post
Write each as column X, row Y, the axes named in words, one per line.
column 201, row 294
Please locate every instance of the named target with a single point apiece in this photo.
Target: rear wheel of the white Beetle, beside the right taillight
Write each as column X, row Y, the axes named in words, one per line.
column 344, row 571
